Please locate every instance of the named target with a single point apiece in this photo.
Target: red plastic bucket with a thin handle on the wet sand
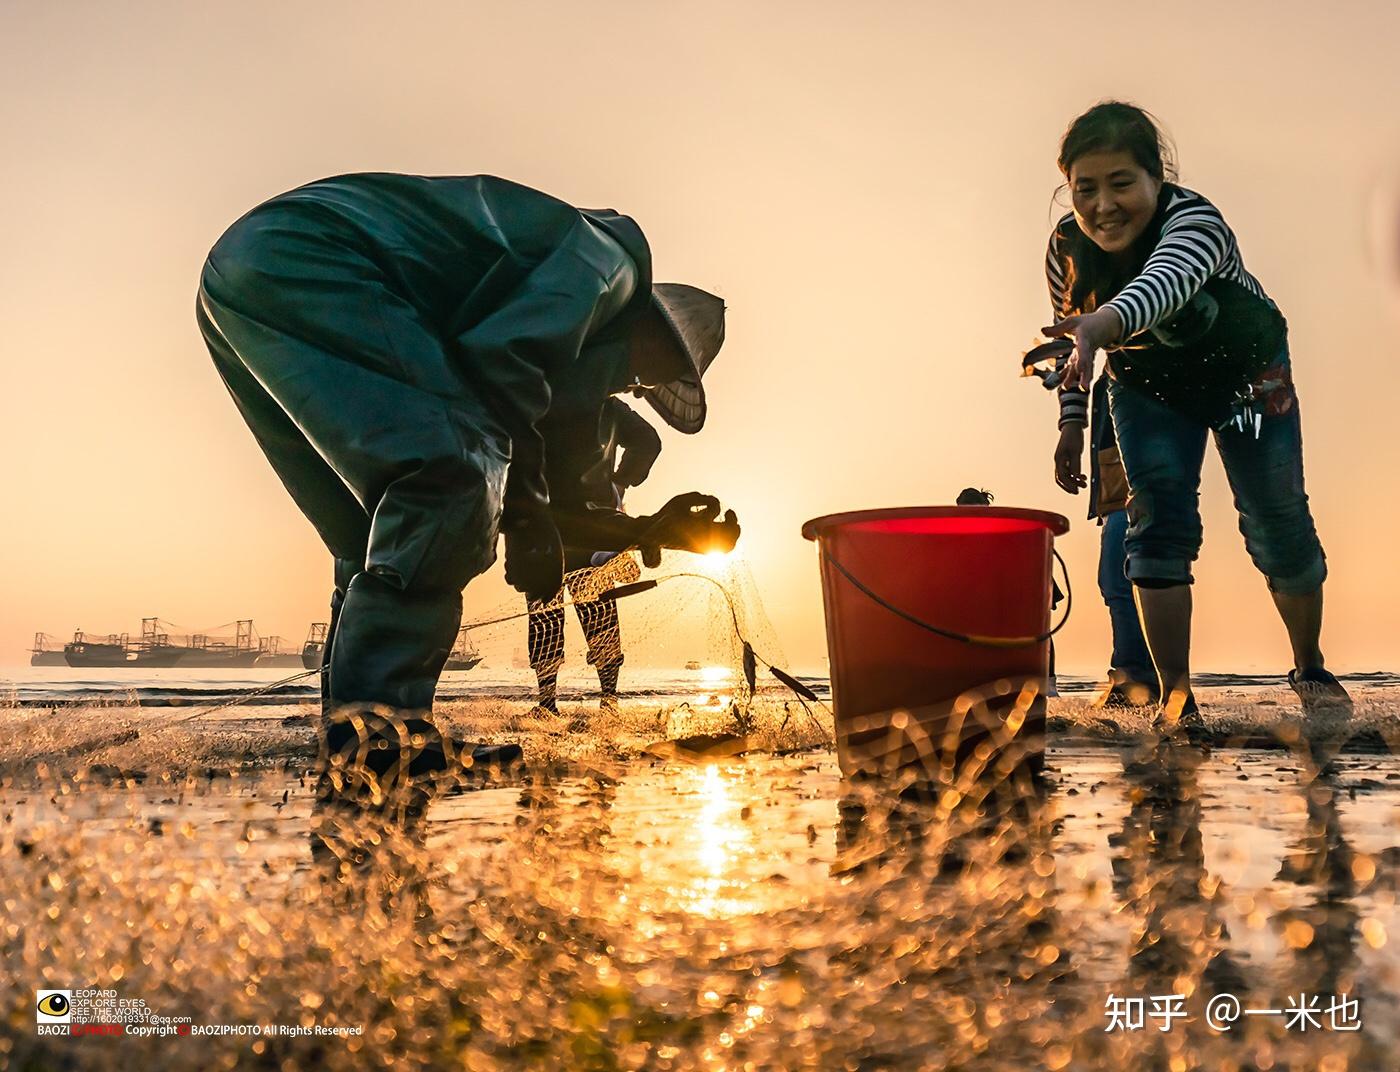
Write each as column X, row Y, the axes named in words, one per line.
column 905, row 695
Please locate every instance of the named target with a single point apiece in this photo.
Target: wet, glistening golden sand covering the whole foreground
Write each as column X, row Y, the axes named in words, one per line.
column 601, row 908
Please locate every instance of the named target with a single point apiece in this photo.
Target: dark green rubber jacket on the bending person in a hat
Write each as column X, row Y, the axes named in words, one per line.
column 531, row 297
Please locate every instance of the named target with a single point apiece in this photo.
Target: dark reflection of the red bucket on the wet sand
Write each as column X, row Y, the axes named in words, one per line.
column 958, row 885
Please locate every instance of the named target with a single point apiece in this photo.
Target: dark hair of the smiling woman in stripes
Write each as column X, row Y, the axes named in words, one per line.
column 1112, row 127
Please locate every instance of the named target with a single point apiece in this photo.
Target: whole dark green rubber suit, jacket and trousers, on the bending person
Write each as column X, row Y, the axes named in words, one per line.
column 401, row 348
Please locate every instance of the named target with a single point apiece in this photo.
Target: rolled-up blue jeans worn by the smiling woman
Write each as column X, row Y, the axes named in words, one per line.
column 1163, row 453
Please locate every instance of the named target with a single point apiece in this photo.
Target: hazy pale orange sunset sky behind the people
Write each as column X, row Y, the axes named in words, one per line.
column 869, row 185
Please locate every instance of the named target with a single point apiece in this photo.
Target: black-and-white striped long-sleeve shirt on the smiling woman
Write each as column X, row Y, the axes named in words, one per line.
column 1193, row 247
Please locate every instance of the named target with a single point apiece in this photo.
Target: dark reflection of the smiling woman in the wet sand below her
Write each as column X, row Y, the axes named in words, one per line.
column 1181, row 941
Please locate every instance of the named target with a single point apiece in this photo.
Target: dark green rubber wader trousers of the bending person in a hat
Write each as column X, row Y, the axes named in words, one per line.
column 376, row 433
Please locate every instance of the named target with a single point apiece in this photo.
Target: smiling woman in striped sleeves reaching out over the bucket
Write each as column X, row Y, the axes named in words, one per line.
column 1151, row 272
